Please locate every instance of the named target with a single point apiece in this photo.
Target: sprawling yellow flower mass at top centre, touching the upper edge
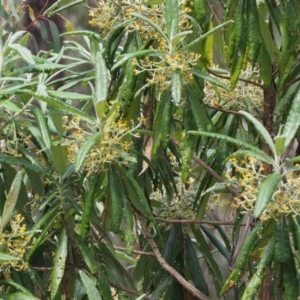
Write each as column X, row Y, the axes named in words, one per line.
column 159, row 69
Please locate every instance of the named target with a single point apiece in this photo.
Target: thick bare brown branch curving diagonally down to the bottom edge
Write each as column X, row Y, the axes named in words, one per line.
column 188, row 286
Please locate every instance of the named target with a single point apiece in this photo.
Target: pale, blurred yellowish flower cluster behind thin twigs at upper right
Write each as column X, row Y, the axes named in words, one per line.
column 236, row 99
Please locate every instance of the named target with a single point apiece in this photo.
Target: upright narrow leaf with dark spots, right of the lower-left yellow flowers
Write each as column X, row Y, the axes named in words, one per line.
column 58, row 271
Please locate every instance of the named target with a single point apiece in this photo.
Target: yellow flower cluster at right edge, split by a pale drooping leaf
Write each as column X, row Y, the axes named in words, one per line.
column 248, row 177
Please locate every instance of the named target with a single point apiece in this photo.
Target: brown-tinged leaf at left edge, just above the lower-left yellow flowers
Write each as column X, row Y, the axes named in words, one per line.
column 11, row 201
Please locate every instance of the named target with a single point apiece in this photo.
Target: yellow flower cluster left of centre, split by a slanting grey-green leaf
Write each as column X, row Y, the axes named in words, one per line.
column 114, row 145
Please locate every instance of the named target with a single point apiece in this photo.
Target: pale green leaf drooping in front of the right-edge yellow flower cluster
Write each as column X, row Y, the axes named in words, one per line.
column 265, row 192
